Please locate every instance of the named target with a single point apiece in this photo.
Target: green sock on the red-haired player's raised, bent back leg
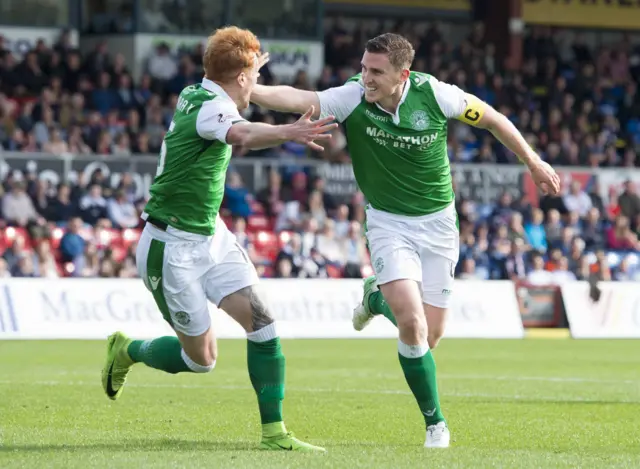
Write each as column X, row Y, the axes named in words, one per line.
column 163, row 353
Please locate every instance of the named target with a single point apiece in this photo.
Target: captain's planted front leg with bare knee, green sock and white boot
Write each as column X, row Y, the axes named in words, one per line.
column 419, row 367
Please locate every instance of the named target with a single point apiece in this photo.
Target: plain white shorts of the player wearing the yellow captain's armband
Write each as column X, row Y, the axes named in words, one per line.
column 424, row 249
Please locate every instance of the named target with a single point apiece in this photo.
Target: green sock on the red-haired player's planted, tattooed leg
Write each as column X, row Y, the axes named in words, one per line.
column 266, row 365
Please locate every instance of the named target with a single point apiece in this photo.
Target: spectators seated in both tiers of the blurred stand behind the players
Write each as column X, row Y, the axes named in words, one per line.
column 575, row 105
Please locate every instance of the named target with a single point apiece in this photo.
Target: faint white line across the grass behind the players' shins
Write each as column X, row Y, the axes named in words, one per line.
column 518, row 397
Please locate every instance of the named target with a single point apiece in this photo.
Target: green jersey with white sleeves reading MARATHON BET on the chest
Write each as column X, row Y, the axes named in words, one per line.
column 400, row 160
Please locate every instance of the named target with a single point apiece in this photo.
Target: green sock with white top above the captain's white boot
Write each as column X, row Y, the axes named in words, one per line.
column 420, row 372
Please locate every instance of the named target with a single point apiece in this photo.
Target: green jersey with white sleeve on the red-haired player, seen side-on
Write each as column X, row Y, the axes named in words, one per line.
column 189, row 184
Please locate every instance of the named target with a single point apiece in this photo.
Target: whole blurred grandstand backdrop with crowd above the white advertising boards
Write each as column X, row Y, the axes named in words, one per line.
column 88, row 87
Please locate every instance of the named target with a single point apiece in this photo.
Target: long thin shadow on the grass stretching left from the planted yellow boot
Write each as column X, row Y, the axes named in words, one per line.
column 164, row 444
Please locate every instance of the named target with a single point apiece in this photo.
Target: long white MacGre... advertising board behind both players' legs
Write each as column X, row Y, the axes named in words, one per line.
column 94, row 308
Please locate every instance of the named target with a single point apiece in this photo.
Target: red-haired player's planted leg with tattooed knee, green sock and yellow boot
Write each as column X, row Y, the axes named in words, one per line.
column 266, row 365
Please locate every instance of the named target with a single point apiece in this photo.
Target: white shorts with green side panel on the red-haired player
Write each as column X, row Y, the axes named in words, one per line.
column 183, row 275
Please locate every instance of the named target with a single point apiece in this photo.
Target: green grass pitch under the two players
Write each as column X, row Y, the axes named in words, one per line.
column 527, row 403
